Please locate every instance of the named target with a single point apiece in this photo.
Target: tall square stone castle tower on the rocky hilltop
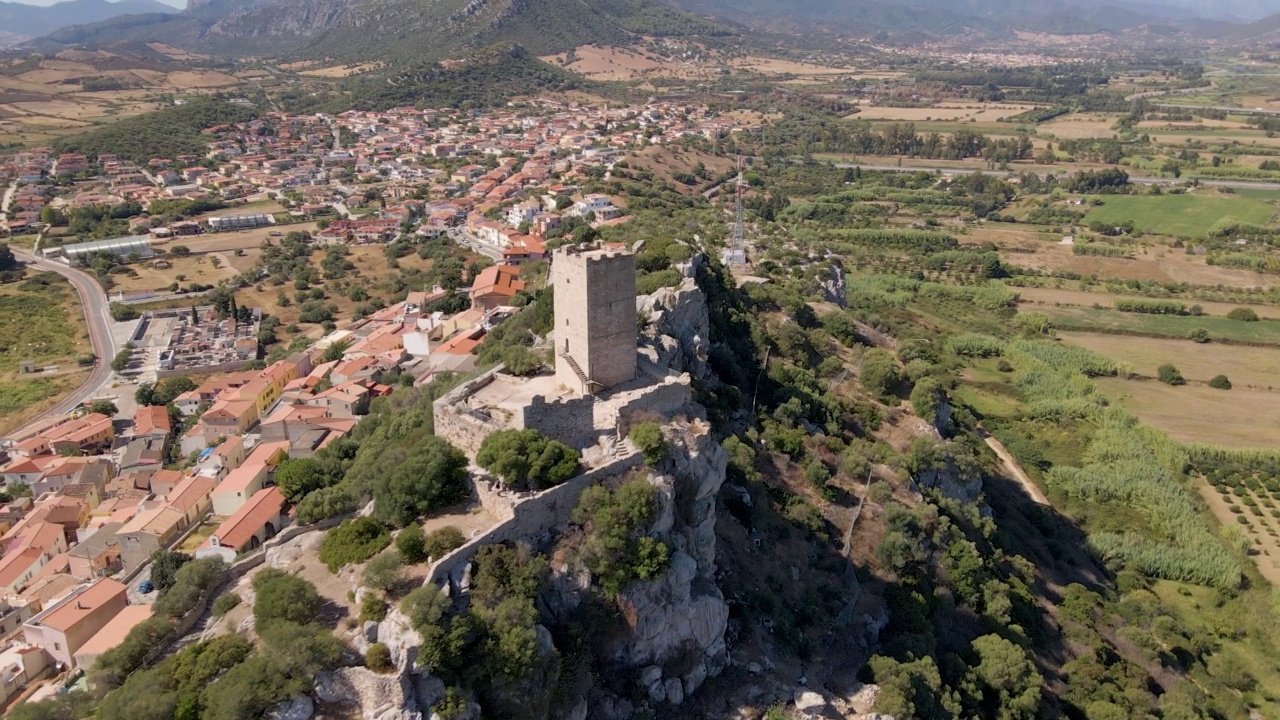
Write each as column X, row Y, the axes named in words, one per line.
column 596, row 317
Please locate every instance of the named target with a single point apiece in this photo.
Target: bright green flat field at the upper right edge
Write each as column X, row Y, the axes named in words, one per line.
column 1187, row 216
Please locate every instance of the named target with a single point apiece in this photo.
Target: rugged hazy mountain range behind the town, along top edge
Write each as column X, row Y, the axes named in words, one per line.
column 392, row 30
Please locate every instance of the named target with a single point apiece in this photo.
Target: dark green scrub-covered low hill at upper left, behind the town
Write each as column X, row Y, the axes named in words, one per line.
column 164, row 134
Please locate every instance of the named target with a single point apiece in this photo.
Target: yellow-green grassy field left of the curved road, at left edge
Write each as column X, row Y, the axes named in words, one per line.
column 40, row 321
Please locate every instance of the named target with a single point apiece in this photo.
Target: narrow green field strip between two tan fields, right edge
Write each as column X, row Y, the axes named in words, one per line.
column 1263, row 332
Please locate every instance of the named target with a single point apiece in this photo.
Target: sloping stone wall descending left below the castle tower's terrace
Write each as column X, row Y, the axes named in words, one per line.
column 536, row 517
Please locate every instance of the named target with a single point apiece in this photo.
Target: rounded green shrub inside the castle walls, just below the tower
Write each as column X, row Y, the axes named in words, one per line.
column 528, row 459
